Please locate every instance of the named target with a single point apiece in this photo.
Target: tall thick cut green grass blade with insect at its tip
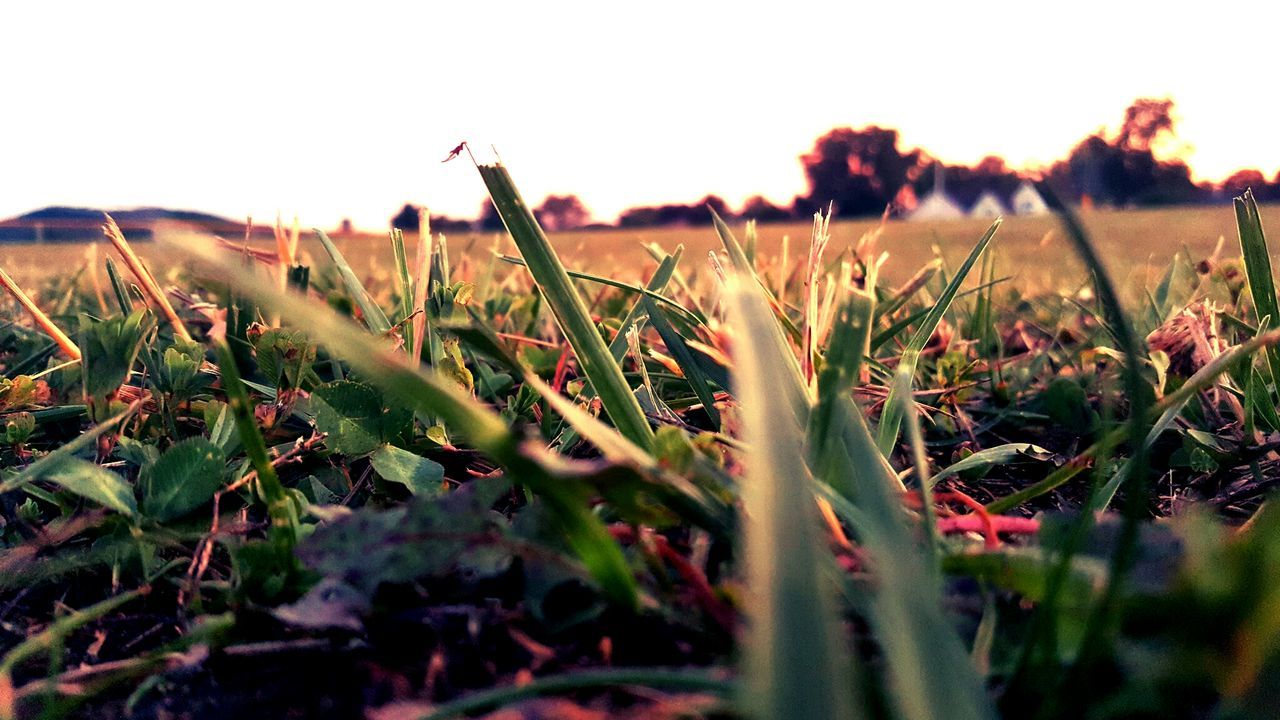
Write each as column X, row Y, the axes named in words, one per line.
column 569, row 308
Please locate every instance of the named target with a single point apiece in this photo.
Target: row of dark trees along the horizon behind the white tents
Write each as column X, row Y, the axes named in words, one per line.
column 866, row 171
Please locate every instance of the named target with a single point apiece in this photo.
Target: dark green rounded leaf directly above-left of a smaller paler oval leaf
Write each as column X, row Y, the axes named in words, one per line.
column 355, row 417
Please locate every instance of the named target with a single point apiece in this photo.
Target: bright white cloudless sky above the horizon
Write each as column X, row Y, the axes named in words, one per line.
column 346, row 110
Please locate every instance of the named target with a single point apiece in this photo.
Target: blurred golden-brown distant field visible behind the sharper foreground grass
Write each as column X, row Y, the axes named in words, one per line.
column 1136, row 245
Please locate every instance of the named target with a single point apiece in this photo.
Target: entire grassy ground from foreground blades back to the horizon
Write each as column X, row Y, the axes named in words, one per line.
column 391, row 480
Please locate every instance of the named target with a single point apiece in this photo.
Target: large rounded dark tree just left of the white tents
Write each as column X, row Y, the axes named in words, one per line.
column 861, row 171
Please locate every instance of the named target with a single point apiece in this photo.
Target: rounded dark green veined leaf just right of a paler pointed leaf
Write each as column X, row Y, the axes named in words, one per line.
column 182, row 480
